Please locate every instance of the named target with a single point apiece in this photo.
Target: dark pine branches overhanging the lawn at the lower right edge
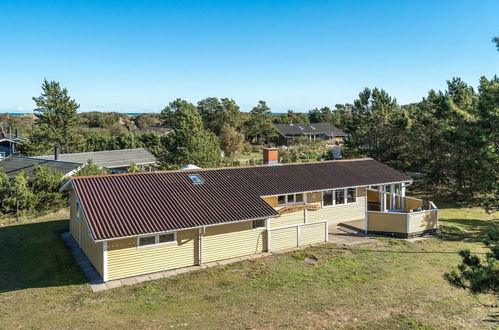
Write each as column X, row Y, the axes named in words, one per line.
column 479, row 275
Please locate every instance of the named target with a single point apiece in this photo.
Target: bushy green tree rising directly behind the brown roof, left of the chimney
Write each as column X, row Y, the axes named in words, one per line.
column 189, row 143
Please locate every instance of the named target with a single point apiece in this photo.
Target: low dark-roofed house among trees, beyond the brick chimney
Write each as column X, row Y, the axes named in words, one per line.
column 323, row 131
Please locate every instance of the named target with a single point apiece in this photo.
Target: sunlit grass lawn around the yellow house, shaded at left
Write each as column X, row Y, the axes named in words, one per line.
column 383, row 284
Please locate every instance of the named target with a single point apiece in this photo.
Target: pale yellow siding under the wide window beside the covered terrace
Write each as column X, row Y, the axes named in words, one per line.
column 339, row 213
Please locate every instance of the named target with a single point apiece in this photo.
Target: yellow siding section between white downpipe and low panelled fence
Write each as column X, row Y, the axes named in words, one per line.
column 231, row 240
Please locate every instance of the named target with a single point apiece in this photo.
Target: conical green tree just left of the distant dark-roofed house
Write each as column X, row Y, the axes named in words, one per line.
column 259, row 127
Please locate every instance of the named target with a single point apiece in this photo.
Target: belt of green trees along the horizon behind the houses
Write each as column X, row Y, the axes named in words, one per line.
column 450, row 137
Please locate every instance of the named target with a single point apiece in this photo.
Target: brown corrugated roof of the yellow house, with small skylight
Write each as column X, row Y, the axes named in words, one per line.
column 138, row 203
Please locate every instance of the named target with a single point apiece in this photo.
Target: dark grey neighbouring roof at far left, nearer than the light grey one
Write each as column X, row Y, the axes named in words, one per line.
column 13, row 164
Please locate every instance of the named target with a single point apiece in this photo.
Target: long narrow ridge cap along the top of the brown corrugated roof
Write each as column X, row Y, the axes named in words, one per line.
column 222, row 168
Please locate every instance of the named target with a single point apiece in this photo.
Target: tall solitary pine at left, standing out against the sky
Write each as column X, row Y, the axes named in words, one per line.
column 56, row 122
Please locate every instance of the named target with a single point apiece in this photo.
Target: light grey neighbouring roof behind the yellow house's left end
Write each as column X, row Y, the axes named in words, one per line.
column 109, row 159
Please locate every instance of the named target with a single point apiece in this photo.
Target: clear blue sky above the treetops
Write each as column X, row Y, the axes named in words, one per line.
column 135, row 56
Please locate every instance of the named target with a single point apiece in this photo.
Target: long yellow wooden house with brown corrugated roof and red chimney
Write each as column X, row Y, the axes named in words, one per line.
column 139, row 223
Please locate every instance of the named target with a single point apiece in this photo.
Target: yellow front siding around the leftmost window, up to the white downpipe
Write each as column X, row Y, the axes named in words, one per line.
column 125, row 259
